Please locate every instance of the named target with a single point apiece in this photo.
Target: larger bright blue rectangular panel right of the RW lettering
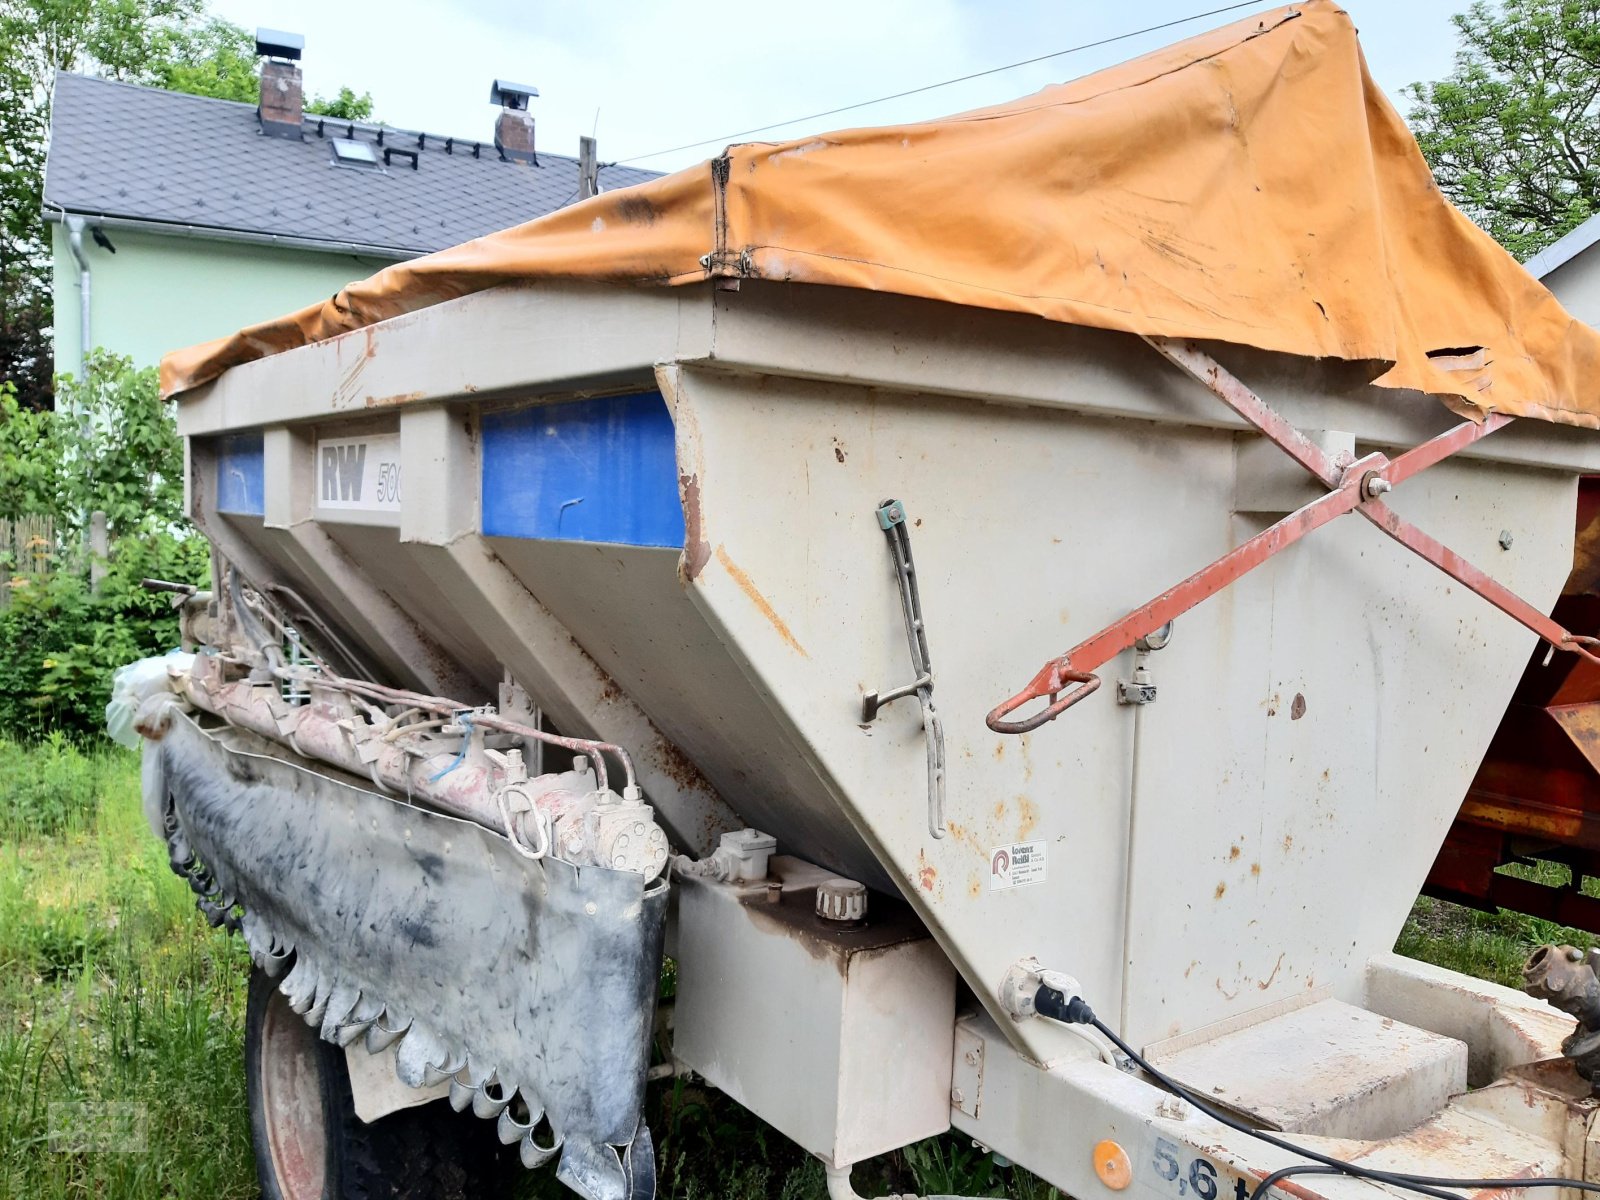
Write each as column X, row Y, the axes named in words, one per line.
column 590, row 471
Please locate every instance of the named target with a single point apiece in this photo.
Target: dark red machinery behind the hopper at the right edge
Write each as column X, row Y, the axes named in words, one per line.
column 1537, row 796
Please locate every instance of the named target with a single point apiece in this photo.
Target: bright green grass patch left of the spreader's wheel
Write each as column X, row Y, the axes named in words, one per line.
column 121, row 1012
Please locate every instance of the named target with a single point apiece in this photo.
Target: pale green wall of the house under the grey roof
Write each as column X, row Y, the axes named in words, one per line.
column 161, row 292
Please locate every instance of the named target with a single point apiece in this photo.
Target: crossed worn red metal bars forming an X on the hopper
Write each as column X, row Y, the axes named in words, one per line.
column 1354, row 487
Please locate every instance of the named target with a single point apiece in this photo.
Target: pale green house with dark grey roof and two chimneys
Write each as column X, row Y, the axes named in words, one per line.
column 182, row 218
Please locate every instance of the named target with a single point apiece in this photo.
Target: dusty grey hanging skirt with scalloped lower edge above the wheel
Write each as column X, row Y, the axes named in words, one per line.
column 530, row 985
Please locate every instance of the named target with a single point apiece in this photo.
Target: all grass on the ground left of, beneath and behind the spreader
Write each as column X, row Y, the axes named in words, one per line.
column 122, row 1023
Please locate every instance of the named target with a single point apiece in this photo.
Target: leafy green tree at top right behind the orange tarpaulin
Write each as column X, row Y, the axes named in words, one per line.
column 1514, row 132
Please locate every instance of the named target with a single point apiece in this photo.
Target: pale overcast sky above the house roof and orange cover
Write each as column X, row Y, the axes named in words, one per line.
column 665, row 73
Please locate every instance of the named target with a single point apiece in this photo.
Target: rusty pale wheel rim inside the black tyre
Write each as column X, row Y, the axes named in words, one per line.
column 290, row 1074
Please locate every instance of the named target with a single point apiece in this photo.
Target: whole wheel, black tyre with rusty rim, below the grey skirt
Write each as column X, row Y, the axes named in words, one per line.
column 311, row 1146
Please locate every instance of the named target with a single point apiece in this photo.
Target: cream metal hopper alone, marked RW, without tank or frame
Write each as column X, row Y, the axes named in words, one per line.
column 658, row 513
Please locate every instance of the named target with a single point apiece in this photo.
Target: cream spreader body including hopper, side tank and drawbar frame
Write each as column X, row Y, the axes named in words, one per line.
column 660, row 514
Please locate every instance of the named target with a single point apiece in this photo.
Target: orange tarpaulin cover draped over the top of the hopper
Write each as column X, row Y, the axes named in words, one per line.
column 1249, row 186
